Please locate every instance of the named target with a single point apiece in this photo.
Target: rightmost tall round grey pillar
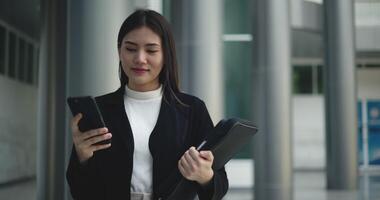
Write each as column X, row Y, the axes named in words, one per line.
column 340, row 95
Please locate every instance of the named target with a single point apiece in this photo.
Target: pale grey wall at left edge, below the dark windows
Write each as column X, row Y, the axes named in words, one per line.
column 18, row 115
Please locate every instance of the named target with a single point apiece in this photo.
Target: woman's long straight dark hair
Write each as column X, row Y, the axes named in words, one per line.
column 168, row 76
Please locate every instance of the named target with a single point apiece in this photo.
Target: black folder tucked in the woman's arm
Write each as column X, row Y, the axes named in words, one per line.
column 226, row 139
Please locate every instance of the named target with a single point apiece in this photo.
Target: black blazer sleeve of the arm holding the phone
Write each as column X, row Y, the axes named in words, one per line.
column 83, row 180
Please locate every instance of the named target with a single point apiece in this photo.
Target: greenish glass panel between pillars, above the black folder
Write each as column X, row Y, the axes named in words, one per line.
column 237, row 60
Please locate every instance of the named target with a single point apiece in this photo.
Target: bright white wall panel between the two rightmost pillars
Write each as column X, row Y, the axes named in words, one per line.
column 308, row 132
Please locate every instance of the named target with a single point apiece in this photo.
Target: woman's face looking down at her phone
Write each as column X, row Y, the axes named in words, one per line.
column 141, row 57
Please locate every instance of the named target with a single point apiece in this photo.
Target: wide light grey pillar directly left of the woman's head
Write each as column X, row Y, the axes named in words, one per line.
column 93, row 60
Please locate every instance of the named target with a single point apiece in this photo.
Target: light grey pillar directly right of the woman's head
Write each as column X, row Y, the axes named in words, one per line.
column 197, row 26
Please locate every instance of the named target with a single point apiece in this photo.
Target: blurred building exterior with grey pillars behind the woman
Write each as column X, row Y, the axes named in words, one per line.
column 307, row 72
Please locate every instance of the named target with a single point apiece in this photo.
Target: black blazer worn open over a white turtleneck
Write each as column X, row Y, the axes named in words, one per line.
column 107, row 175
